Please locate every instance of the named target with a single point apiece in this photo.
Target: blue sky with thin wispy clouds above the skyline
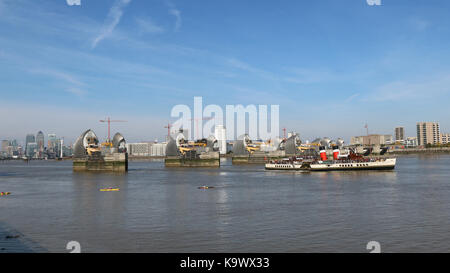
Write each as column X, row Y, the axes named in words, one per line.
column 331, row 66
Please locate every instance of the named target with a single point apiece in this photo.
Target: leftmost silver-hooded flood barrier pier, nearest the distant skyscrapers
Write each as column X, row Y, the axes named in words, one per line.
column 89, row 156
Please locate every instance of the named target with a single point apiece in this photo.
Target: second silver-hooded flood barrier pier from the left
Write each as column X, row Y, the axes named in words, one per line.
column 200, row 153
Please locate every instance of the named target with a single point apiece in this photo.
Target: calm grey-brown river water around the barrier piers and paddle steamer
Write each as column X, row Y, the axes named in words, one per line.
column 161, row 209
